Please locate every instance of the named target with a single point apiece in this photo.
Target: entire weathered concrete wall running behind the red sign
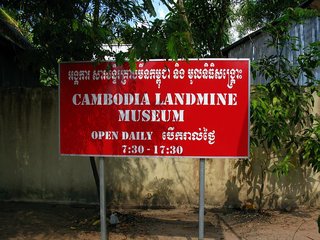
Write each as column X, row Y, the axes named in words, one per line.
column 32, row 170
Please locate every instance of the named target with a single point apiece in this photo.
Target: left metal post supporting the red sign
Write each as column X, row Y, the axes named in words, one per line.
column 102, row 201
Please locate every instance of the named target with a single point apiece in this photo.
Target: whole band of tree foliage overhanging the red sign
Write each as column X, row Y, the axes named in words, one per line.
column 77, row 29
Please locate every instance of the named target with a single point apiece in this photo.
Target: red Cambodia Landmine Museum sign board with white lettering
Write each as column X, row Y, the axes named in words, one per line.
column 195, row 108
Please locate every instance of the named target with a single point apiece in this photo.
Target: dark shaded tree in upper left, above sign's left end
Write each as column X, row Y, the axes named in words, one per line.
column 74, row 30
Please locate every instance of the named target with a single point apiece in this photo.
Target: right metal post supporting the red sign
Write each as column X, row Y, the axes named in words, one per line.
column 201, row 198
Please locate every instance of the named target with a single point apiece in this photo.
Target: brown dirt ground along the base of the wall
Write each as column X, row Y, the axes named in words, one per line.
column 34, row 221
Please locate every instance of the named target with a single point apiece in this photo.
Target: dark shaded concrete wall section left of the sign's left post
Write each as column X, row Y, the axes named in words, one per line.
column 30, row 166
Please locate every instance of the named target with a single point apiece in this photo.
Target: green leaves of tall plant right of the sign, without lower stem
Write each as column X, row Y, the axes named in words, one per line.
column 282, row 109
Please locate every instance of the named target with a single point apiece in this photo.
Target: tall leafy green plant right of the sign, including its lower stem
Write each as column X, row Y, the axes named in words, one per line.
column 284, row 126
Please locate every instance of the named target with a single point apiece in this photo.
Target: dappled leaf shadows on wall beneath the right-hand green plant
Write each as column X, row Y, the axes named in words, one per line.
column 266, row 189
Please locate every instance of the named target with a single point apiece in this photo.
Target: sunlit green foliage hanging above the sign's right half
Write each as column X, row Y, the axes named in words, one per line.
column 193, row 28
